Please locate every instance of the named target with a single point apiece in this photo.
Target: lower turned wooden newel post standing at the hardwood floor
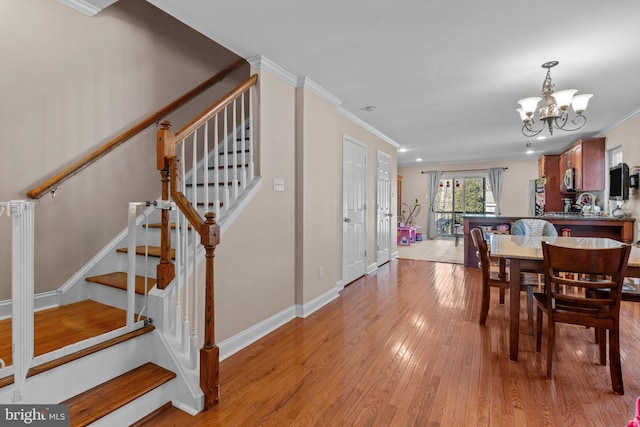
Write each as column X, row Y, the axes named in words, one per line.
column 209, row 353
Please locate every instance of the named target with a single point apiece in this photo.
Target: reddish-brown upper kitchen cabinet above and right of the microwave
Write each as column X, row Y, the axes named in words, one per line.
column 586, row 157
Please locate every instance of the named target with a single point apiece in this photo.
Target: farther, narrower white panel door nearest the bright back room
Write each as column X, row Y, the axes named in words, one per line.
column 384, row 214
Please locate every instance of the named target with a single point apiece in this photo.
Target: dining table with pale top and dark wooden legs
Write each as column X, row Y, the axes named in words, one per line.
column 524, row 253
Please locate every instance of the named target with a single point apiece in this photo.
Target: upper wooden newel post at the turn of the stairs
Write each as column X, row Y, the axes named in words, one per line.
column 165, row 154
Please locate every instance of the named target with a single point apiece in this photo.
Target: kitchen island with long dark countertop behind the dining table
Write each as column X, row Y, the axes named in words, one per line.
column 617, row 228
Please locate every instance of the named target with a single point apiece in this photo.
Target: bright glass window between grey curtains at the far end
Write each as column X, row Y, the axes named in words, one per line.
column 459, row 196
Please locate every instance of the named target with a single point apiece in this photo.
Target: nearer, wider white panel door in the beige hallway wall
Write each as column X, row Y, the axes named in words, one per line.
column 353, row 210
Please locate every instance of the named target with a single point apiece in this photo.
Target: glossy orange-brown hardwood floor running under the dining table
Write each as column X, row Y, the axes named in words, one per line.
column 403, row 347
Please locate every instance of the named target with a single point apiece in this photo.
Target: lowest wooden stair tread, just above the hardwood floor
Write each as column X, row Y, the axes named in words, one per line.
column 105, row 398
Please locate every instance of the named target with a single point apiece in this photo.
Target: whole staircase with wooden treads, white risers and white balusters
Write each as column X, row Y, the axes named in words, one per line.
column 161, row 363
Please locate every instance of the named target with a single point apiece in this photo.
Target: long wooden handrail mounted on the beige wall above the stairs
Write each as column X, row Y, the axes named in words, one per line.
column 52, row 183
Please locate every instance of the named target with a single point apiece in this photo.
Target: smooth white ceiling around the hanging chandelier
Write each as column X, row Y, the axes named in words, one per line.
column 444, row 76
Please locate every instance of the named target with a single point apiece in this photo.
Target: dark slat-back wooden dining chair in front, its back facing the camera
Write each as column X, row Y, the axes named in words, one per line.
column 597, row 276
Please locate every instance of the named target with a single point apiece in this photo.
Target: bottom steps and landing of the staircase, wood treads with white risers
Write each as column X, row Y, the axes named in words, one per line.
column 81, row 378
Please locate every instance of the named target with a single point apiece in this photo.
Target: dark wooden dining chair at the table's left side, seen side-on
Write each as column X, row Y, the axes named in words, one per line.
column 497, row 279
